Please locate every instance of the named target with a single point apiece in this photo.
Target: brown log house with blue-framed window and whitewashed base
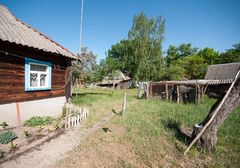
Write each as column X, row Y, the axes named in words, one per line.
column 34, row 71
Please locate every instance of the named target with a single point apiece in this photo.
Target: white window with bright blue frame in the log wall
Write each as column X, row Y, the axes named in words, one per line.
column 37, row 75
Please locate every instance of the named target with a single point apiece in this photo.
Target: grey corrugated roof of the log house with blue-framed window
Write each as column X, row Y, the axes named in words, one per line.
column 15, row 31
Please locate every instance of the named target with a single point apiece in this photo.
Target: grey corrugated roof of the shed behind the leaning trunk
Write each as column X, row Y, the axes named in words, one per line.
column 222, row 72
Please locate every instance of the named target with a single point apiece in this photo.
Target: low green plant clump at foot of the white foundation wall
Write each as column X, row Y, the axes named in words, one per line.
column 39, row 121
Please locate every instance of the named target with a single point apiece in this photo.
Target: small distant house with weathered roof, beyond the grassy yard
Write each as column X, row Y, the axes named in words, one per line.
column 118, row 80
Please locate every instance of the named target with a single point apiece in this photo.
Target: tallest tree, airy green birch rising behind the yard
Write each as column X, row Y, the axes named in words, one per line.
column 146, row 36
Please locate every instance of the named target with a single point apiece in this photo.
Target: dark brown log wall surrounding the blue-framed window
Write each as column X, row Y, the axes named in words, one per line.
column 12, row 74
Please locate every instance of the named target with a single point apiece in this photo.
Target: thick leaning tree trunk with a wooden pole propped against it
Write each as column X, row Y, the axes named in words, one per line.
column 208, row 140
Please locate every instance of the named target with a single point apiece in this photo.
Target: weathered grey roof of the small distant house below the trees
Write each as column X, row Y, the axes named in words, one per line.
column 116, row 78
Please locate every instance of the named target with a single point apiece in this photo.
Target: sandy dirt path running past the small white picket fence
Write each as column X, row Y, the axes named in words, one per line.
column 47, row 154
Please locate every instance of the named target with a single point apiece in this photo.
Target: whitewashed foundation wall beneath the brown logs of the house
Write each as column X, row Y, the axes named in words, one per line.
column 28, row 109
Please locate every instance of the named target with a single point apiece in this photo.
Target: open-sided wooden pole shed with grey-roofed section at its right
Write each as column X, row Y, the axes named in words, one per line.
column 217, row 80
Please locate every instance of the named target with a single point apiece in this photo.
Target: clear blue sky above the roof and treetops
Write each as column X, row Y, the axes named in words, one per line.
column 204, row 23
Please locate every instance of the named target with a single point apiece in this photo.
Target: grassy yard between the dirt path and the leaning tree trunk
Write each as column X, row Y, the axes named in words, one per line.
column 153, row 133
